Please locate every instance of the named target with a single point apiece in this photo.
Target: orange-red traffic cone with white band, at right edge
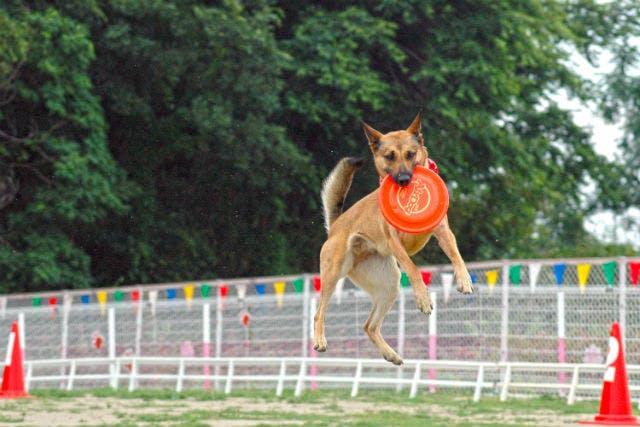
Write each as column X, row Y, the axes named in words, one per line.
column 615, row 403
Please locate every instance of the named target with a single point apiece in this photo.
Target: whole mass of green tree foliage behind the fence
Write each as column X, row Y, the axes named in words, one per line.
column 162, row 140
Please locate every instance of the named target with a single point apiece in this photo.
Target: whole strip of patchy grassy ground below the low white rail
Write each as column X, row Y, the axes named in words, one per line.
column 262, row 409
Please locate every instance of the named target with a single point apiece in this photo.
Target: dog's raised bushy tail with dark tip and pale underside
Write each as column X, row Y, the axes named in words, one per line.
column 336, row 187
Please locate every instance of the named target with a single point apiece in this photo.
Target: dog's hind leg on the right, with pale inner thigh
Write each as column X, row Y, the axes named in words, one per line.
column 380, row 277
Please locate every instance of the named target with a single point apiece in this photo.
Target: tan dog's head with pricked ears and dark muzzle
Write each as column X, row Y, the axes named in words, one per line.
column 397, row 153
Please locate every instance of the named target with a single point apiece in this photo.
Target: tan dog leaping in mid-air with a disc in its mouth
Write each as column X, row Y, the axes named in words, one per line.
column 364, row 247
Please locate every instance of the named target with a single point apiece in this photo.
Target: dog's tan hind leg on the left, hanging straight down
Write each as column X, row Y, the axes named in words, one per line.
column 332, row 260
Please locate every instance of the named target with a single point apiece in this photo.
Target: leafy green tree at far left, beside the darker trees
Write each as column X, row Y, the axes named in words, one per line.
column 54, row 148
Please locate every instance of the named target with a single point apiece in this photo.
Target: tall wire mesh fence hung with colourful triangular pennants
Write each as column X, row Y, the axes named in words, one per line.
column 542, row 311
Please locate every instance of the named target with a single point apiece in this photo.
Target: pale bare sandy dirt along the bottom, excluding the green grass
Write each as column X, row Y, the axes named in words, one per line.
column 108, row 411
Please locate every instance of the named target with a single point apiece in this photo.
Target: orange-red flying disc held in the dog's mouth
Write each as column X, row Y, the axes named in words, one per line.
column 417, row 207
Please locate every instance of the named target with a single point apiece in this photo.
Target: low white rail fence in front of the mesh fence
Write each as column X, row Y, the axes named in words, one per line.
column 299, row 374
